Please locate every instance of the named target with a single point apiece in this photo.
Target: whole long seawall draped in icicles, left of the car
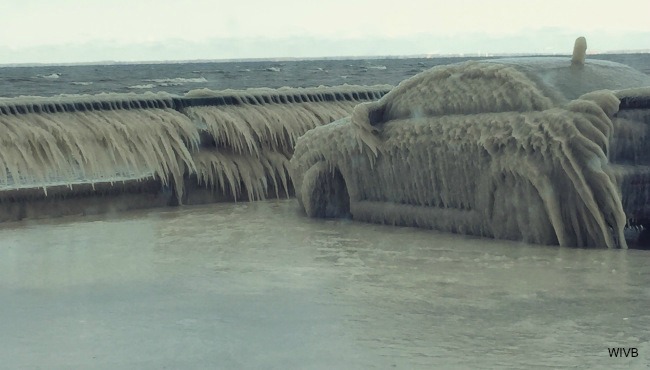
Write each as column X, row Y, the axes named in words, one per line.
column 234, row 143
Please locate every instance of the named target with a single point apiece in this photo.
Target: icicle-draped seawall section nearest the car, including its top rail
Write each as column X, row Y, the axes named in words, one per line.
column 255, row 134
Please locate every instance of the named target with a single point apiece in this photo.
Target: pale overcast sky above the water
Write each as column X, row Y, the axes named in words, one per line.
column 138, row 30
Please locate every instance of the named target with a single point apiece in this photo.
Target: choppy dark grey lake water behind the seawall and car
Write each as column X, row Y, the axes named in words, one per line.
column 178, row 78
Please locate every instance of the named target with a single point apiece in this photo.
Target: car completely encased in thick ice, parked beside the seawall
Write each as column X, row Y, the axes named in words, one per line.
column 537, row 149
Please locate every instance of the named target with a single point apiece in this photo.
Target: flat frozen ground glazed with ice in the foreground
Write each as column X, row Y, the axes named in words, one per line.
column 259, row 286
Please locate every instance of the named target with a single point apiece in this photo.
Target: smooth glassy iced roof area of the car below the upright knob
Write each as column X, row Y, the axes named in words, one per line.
column 556, row 75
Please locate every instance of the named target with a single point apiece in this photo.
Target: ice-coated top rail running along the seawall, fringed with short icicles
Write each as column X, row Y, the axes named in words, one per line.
column 203, row 97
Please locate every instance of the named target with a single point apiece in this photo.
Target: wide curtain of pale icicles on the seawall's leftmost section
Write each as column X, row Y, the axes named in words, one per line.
column 38, row 149
